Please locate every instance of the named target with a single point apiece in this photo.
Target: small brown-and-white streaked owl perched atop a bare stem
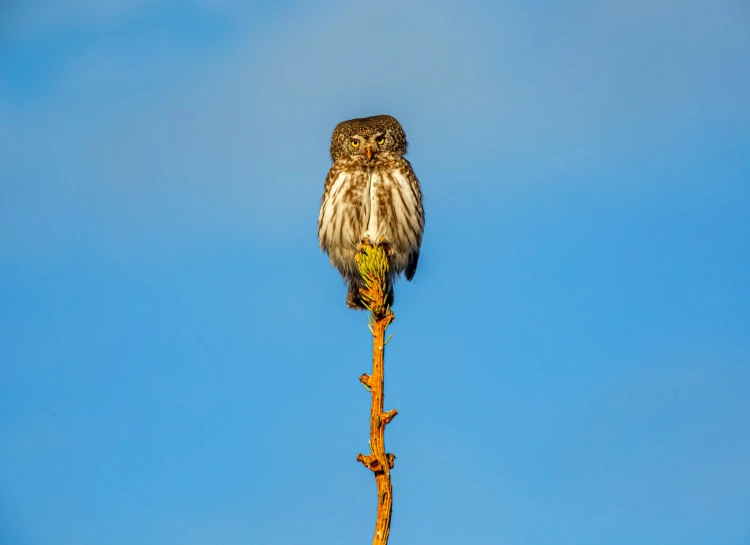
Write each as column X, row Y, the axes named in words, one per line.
column 371, row 194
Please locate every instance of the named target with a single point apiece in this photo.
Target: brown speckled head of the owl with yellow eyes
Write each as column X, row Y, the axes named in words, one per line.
column 367, row 137
